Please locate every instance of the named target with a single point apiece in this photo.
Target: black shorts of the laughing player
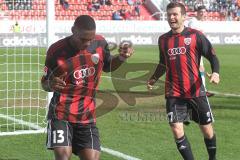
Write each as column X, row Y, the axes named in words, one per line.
column 183, row 110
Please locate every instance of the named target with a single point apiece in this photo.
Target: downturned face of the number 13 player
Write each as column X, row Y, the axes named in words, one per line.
column 82, row 38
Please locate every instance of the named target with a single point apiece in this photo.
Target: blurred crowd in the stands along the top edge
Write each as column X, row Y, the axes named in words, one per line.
column 228, row 10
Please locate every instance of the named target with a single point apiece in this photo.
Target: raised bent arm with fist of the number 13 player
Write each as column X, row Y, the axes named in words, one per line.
column 111, row 63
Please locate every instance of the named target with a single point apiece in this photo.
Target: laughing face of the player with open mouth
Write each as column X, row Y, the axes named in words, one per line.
column 175, row 19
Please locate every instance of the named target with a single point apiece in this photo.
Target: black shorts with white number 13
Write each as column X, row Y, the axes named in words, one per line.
column 62, row 133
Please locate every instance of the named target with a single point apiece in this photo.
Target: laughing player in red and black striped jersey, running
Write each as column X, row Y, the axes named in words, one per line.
column 180, row 52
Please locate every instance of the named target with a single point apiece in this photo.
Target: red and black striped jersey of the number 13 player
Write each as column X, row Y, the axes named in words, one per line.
column 76, row 103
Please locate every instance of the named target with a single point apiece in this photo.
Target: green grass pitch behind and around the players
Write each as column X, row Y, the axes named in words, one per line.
column 140, row 130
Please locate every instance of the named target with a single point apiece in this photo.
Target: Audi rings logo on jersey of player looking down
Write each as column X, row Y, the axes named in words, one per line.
column 83, row 73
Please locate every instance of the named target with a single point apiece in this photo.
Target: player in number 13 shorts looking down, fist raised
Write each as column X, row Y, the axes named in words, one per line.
column 71, row 116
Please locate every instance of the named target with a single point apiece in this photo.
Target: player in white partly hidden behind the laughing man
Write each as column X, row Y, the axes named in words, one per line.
column 196, row 24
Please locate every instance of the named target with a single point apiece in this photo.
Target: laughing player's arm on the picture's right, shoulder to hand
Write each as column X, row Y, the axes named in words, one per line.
column 208, row 52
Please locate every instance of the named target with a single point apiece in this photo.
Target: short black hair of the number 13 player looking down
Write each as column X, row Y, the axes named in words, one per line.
column 85, row 22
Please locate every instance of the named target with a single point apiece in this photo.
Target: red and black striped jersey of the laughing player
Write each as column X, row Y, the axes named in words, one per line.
column 180, row 54
